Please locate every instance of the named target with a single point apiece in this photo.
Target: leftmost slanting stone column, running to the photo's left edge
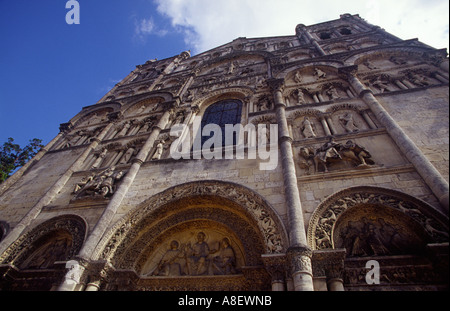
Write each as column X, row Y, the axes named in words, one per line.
column 53, row 191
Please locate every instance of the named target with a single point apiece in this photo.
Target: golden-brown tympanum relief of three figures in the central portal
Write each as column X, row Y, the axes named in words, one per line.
column 195, row 253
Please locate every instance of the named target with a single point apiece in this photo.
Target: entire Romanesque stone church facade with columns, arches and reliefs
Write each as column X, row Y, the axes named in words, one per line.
column 312, row 161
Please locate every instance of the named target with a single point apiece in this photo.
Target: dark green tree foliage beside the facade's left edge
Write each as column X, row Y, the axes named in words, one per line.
column 12, row 156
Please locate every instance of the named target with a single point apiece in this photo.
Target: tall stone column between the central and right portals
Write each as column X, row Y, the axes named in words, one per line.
column 302, row 277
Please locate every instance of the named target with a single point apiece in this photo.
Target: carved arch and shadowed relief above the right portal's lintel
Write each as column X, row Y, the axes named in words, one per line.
column 386, row 221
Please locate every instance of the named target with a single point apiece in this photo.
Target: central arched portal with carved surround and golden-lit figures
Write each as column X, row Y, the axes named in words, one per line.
column 200, row 235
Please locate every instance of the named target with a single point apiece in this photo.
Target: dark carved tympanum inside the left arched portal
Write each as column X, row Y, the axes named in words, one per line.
column 48, row 254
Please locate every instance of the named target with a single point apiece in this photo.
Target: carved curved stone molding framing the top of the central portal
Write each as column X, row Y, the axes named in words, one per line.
column 241, row 200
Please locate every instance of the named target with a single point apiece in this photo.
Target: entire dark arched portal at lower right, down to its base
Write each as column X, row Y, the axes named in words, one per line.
column 406, row 237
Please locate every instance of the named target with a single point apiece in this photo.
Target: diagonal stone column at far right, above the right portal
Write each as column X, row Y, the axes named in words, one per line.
column 431, row 176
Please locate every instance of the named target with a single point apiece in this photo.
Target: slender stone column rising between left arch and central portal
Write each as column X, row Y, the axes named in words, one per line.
column 117, row 198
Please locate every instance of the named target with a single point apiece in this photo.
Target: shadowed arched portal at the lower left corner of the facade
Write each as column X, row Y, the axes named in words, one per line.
column 37, row 260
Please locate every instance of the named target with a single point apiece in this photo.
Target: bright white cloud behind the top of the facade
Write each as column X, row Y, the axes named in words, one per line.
column 207, row 23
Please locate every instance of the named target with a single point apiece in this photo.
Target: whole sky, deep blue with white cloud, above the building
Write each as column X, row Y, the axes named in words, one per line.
column 50, row 70
